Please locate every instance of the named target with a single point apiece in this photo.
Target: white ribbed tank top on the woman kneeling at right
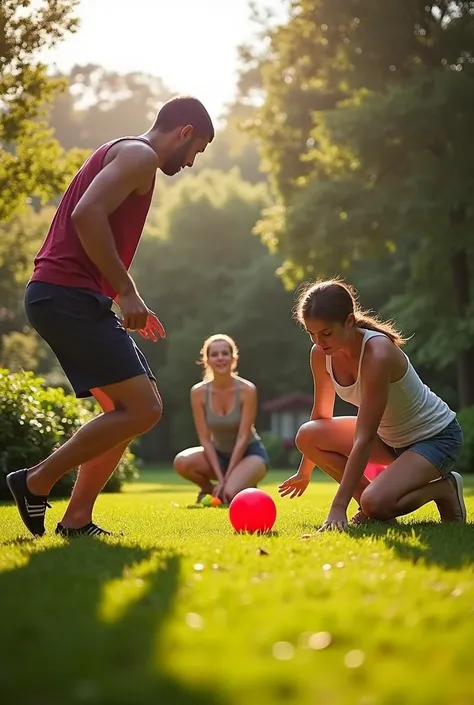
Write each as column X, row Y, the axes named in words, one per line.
column 413, row 411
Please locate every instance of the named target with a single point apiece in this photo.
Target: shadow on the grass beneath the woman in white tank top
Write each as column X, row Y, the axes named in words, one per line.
column 449, row 546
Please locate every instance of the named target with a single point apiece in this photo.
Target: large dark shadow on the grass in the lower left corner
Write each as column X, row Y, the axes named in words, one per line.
column 81, row 624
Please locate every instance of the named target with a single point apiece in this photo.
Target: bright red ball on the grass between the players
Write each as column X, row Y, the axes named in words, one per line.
column 252, row 510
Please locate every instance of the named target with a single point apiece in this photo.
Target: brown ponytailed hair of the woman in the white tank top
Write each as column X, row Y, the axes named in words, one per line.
column 333, row 301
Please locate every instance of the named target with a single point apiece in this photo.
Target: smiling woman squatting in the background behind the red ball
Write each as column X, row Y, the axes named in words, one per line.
column 224, row 408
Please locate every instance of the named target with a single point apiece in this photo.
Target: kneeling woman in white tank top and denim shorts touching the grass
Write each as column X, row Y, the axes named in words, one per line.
column 400, row 423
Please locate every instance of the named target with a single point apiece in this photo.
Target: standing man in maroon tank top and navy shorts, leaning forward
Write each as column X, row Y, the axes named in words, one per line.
column 81, row 268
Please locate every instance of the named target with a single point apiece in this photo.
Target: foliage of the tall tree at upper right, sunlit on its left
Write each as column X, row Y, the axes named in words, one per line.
column 370, row 167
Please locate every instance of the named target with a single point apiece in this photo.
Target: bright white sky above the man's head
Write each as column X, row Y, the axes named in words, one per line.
column 190, row 44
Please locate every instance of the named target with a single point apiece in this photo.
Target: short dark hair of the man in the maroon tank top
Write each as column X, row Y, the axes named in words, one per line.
column 185, row 110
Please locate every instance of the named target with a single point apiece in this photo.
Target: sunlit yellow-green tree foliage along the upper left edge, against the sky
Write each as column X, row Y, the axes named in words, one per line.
column 32, row 163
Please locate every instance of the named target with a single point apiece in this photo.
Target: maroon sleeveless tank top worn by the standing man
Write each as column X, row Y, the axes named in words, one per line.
column 62, row 259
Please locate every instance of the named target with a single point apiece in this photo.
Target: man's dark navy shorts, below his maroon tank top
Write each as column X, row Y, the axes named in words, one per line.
column 86, row 336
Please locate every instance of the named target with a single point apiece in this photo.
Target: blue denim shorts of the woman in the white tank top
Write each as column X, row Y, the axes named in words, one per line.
column 442, row 450
